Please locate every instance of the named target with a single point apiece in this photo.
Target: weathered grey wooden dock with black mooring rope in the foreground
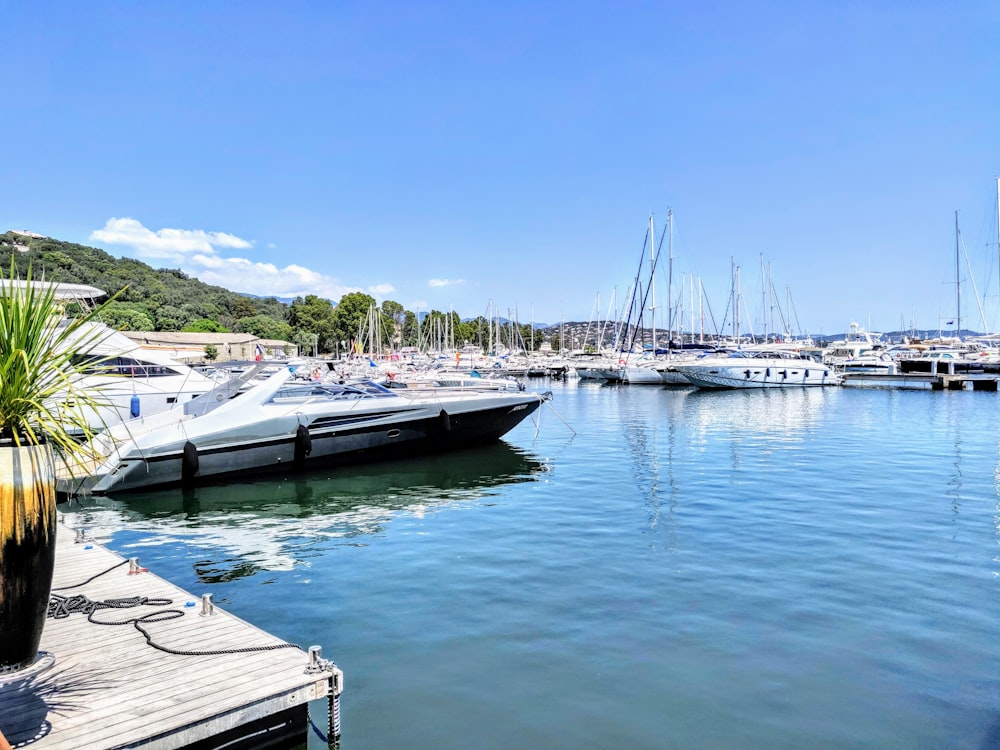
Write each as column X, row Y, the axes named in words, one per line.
column 108, row 688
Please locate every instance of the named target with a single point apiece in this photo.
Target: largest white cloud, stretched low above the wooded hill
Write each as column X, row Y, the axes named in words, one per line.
column 195, row 253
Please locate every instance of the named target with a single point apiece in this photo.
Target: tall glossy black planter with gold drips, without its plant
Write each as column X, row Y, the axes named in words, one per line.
column 27, row 550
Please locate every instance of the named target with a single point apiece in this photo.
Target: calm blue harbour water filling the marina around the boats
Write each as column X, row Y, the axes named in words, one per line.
column 788, row 569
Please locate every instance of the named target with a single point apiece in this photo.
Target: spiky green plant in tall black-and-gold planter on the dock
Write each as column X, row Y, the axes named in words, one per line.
column 41, row 407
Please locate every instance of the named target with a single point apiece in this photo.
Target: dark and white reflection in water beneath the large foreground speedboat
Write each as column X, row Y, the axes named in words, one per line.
column 273, row 524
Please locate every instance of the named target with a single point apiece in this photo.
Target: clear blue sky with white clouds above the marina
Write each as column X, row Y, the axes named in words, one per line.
column 458, row 155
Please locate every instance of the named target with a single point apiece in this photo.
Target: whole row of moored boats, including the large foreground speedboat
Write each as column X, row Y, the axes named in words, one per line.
column 164, row 422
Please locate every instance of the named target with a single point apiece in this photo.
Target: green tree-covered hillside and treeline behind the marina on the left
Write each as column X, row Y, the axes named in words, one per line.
column 168, row 300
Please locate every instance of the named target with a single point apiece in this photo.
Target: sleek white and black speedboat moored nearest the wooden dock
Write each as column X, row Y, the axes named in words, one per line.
column 283, row 424
